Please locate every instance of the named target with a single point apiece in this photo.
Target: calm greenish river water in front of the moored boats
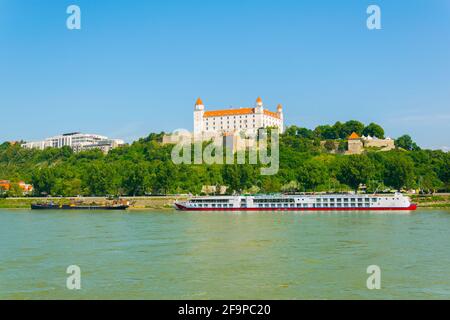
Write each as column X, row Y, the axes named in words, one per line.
column 181, row 255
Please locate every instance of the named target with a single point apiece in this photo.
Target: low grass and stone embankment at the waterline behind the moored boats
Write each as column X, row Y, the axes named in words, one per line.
column 166, row 202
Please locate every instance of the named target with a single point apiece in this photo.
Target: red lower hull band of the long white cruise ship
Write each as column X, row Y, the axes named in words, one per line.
column 412, row 207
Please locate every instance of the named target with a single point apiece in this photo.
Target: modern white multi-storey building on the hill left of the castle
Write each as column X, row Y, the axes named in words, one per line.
column 77, row 141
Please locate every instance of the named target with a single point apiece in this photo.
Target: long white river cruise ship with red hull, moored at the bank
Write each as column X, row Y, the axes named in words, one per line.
column 322, row 202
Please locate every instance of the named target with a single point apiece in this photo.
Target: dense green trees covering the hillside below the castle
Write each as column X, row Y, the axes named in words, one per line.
column 305, row 165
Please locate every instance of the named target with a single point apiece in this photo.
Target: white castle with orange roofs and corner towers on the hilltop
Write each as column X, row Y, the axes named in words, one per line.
column 234, row 121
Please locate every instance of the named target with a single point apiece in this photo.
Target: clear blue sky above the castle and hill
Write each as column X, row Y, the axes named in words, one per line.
column 138, row 66
